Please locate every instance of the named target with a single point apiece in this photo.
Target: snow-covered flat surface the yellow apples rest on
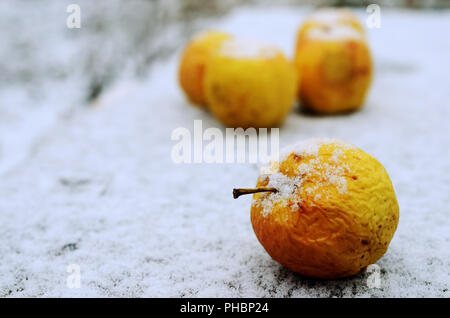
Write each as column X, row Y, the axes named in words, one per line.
column 100, row 190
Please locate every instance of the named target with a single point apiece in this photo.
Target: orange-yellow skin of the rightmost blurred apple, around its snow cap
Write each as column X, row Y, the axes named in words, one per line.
column 336, row 73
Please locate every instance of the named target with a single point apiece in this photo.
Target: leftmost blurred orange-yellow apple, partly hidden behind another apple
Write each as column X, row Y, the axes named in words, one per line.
column 193, row 64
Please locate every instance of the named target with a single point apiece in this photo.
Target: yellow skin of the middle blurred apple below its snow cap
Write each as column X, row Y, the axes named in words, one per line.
column 250, row 92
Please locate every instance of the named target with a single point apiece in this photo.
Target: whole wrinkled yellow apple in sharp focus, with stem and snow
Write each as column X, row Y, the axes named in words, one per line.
column 326, row 209
